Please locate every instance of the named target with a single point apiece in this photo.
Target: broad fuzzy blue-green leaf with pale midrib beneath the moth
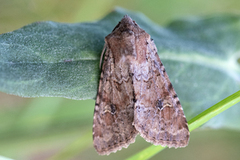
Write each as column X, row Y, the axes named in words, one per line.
column 49, row 59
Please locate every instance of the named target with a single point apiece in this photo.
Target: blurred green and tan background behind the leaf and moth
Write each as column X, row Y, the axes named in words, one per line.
column 58, row 128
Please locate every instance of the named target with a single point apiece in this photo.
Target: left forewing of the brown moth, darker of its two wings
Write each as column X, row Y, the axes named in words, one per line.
column 114, row 109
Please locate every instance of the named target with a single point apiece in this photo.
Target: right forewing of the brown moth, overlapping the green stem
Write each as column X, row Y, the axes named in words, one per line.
column 158, row 114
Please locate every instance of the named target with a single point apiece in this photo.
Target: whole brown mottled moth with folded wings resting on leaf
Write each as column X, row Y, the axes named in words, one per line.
column 135, row 94
